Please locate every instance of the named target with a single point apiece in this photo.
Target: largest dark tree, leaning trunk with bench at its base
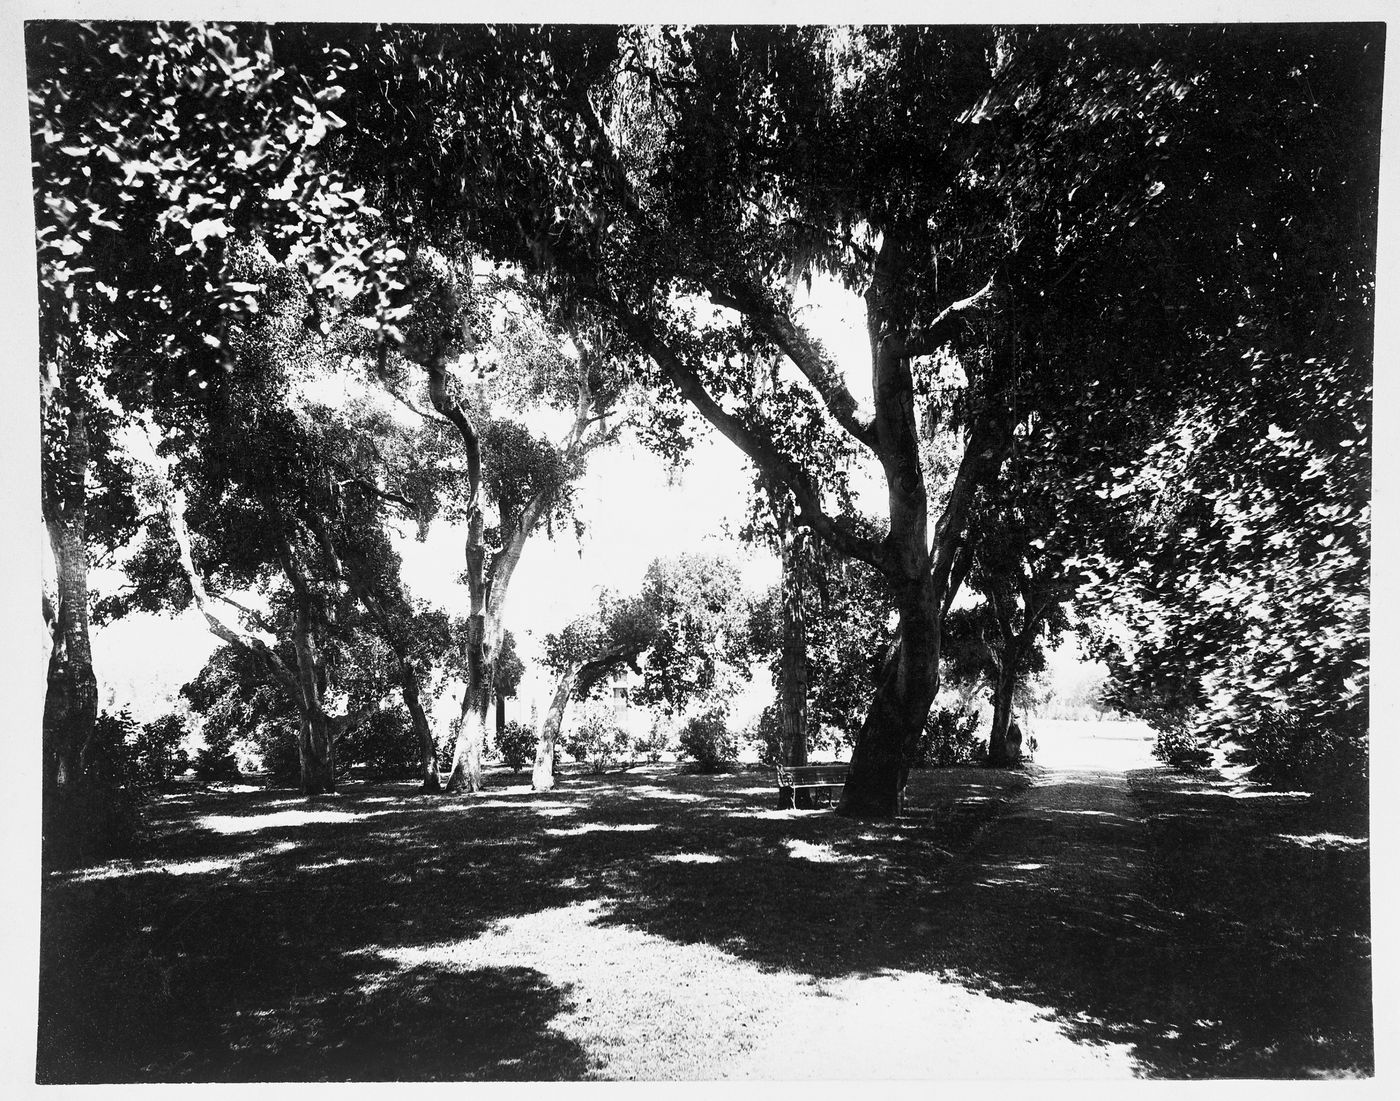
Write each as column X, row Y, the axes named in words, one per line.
column 985, row 190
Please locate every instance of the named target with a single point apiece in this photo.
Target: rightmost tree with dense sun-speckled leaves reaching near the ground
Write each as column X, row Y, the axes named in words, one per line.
column 1245, row 585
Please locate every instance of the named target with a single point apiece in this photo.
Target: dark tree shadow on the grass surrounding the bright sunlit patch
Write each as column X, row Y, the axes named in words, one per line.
column 254, row 945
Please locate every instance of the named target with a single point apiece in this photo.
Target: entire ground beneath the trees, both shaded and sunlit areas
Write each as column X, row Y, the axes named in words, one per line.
column 660, row 925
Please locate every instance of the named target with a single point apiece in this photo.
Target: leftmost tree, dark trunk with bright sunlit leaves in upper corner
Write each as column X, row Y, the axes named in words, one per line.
column 152, row 146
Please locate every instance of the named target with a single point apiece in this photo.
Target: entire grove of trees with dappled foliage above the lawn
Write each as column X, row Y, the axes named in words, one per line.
column 304, row 288
